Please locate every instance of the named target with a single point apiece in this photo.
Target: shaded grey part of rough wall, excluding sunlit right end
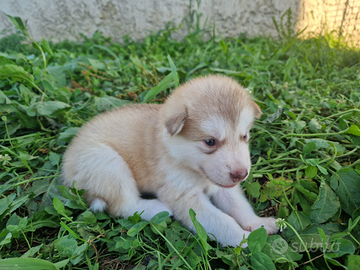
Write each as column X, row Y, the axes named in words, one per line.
column 65, row 19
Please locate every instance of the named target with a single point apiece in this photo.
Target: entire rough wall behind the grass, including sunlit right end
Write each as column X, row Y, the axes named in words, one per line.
column 65, row 19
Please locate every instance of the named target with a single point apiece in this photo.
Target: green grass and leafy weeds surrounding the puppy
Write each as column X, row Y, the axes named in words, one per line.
column 305, row 149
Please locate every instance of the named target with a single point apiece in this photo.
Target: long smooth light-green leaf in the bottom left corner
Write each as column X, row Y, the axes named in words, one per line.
column 26, row 264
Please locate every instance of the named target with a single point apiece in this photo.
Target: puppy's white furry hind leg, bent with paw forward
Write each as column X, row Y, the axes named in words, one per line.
column 110, row 184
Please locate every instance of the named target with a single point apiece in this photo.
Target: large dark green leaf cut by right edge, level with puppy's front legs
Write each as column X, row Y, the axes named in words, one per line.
column 346, row 184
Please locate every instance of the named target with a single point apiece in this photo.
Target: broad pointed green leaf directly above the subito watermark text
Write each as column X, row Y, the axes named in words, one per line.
column 326, row 205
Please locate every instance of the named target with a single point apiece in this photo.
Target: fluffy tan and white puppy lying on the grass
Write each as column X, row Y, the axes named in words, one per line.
column 190, row 152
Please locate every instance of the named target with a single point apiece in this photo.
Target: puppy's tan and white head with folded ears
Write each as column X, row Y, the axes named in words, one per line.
column 207, row 124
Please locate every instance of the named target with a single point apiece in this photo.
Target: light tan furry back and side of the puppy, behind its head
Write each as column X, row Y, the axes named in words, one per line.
column 126, row 130
